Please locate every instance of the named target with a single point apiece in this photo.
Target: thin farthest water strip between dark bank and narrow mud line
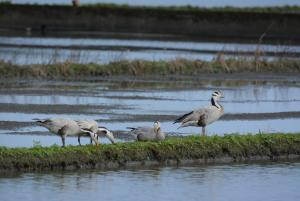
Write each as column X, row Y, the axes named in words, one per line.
column 86, row 42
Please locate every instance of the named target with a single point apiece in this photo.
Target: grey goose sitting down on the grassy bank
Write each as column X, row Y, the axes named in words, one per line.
column 148, row 133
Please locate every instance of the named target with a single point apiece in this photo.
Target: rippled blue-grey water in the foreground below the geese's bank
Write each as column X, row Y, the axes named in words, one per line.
column 248, row 182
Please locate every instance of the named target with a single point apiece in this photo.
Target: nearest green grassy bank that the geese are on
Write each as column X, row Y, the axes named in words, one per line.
column 193, row 147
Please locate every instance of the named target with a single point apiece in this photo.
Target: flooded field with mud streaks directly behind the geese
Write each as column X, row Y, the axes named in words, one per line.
column 252, row 104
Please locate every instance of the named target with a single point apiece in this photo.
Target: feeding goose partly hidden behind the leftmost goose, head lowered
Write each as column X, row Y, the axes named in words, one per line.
column 92, row 125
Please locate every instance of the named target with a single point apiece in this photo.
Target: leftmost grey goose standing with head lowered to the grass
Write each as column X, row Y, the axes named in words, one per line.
column 65, row 127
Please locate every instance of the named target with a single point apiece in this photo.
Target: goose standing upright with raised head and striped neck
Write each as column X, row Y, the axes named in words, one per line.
column 203, row 116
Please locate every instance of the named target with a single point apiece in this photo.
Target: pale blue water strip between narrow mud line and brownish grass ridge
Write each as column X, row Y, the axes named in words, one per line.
column 50, row 56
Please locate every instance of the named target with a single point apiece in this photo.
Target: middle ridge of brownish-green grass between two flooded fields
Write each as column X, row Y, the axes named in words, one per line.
column 141, row 68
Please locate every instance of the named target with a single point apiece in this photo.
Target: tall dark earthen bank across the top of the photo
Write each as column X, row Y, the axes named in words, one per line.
column 279, row 24
